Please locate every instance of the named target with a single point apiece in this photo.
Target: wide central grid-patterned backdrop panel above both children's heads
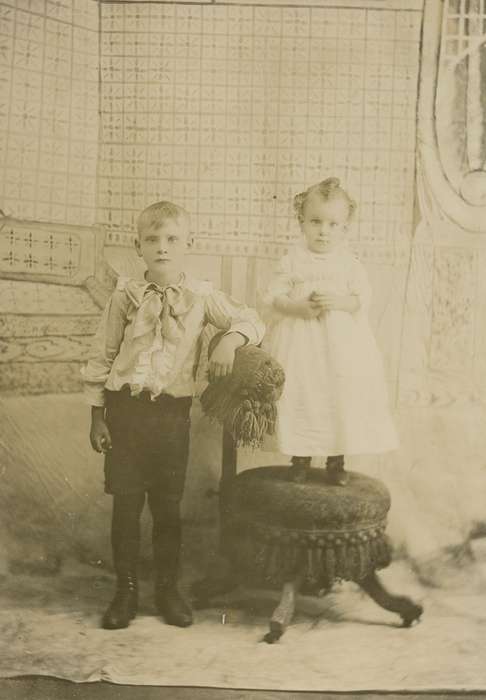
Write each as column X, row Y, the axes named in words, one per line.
column 232, row 110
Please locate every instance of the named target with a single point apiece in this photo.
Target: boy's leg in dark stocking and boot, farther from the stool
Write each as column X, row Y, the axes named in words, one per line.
column 125, row 539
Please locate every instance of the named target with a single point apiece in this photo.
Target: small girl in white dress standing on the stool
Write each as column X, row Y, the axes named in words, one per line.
column 334, row 400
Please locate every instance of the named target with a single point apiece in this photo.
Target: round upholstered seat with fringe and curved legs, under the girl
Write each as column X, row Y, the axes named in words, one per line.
column 302, row 537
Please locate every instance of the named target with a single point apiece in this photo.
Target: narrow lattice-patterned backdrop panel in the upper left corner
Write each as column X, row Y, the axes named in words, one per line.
column 49, row 109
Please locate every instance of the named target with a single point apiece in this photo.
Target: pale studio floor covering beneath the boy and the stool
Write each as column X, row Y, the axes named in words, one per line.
column 49, row 627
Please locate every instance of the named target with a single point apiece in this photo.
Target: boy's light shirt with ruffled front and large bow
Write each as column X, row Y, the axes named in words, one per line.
column 149, row 337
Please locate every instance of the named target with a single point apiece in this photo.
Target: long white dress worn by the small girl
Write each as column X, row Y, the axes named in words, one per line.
column 335, row 398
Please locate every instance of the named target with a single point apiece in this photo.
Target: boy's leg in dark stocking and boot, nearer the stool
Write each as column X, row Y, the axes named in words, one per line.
column 166, row 537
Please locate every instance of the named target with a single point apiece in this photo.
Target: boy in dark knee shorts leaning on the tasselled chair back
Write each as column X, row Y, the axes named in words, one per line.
column 140, row 384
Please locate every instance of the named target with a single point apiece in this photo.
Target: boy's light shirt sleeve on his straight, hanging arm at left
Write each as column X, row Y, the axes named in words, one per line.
column 105, row 348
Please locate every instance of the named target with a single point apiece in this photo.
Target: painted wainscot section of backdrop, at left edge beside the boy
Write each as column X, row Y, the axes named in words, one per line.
column 51, row 290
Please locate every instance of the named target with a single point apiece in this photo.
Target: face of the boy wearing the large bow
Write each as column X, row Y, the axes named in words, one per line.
column 163, row 249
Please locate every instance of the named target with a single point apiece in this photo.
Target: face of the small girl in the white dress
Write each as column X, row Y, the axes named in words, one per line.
column 324, row 222
